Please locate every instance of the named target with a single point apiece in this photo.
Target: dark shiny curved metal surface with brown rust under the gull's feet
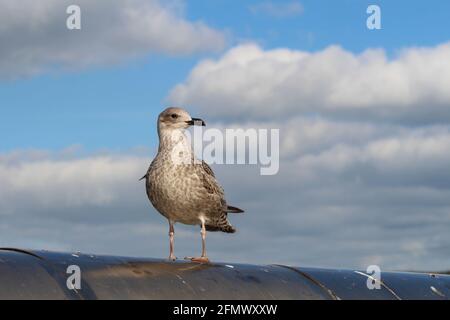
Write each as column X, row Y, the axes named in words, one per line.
column 29, row 274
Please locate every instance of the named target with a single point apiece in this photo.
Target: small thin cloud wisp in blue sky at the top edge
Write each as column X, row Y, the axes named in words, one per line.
column 277, row 9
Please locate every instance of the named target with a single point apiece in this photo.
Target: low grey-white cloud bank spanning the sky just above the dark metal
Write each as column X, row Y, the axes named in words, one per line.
column 377, row 196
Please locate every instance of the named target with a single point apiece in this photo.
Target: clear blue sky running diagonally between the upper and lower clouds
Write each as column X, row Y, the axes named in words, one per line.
column 115, row 106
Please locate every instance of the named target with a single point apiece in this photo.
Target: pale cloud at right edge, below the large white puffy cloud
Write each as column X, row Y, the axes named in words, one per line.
column 413, row 158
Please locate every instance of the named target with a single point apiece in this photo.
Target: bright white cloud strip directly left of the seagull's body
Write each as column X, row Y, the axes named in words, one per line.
column 67, row 183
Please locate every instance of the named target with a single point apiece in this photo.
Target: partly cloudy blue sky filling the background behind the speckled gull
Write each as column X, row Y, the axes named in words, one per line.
column 364, row 119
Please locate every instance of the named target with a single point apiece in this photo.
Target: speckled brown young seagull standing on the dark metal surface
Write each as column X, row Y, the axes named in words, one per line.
column 181, row 187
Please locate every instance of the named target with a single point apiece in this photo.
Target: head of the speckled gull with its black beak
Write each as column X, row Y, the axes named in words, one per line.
column 176, row 118
